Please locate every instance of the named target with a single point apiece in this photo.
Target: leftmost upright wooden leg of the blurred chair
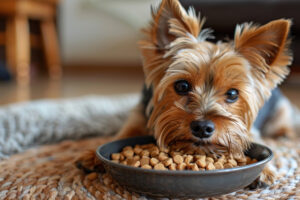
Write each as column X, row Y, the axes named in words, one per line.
column 18, row 48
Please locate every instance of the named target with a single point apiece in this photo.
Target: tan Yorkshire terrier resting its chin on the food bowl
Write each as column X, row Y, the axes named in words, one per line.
column 200, row 94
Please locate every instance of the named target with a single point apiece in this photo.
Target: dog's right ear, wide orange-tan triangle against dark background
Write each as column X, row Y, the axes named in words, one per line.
column 266, row 48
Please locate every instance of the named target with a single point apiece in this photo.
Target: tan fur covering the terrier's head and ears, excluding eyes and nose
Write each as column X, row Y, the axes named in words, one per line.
column 254, row 63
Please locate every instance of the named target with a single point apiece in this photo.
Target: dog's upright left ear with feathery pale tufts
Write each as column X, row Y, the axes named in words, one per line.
column 170, row 20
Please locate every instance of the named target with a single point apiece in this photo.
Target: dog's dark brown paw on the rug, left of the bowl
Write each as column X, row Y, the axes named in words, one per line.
column 88, row 162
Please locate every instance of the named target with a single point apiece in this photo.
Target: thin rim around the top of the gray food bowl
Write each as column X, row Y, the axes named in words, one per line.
column 182, row 172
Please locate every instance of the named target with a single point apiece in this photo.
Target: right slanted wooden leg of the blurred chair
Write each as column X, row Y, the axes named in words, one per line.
column 51, row 48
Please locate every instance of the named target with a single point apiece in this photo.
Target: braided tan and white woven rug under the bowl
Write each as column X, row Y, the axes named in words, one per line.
column 49, row 172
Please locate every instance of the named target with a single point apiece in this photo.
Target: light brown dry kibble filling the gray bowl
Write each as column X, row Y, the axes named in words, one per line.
column 149, row 156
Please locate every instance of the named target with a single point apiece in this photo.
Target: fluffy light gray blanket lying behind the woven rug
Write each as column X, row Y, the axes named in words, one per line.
column 26, row 125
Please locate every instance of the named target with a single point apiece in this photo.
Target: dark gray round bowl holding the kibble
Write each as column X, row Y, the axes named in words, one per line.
column 181, row 184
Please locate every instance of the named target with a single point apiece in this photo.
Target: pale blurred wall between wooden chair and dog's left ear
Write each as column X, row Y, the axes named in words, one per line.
column 102, row 32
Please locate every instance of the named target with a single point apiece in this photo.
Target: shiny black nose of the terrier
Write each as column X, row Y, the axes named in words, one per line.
column 202, row 129
